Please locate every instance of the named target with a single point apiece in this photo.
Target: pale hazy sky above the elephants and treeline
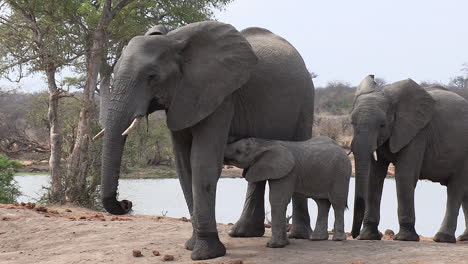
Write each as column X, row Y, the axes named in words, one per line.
column 426, row 40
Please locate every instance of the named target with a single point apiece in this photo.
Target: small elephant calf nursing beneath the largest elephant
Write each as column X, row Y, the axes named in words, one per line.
column 317, row 168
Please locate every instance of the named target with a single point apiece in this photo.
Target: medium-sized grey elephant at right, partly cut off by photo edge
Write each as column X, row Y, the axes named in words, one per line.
column 423, row 132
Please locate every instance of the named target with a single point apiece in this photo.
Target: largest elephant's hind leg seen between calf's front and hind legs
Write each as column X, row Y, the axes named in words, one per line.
column 301, row 220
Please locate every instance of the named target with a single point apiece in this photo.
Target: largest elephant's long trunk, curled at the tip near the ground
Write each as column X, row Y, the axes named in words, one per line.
column 118, row 118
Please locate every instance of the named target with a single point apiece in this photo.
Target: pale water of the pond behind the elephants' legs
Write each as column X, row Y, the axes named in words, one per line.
column 165, row 197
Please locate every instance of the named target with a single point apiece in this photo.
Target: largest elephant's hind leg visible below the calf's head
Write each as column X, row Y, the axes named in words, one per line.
column 252, row 221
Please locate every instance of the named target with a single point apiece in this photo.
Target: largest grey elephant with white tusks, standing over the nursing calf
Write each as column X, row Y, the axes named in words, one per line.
column 214, row 82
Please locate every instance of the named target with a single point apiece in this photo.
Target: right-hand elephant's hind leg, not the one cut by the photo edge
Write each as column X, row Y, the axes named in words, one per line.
column 455, row 193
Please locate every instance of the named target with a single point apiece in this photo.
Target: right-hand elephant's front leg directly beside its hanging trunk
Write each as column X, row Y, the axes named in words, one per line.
column 371, row 221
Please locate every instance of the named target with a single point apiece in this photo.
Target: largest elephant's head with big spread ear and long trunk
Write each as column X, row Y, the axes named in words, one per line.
column 188, row 72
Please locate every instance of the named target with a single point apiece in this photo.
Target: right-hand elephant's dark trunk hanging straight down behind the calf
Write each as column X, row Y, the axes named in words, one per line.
column 362, row 159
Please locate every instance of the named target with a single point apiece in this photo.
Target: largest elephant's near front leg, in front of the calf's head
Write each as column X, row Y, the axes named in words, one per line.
column 206, row 159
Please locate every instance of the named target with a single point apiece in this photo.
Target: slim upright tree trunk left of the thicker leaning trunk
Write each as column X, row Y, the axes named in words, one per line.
column 56, row 191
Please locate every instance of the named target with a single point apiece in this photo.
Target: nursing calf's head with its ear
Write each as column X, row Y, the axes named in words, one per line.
column 263, row 159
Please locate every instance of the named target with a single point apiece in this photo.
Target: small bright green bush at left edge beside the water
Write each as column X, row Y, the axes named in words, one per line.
column 9, row 189
